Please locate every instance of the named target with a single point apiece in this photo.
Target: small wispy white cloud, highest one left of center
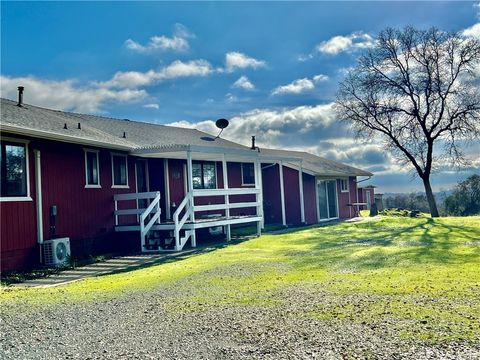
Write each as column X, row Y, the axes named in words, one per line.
column 178, row 42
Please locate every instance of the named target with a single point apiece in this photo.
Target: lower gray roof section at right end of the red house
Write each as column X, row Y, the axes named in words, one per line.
column 319, row 165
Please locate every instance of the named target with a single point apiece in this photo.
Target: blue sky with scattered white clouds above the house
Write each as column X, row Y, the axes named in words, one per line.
column 272, row 68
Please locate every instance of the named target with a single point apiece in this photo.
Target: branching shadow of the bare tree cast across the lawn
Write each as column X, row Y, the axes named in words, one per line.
column 369, row 246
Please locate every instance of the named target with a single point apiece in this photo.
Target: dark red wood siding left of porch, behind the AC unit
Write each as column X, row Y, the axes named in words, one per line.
column 84, row 214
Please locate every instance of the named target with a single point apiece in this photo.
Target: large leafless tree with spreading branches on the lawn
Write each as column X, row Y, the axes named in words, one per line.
column 418, row 90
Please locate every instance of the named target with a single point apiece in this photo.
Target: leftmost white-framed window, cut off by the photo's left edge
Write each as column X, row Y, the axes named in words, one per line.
column 14, row 177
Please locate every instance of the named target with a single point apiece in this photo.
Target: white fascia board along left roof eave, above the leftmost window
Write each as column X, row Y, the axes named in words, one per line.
column 47, row 135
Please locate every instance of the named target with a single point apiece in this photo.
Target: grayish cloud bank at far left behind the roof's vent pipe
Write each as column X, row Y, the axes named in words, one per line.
column 66, row 94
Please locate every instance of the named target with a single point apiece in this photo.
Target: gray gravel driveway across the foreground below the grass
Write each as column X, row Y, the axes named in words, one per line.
column 161, row 324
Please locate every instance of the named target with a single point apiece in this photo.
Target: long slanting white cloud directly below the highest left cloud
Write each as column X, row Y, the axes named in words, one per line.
column 177, row 69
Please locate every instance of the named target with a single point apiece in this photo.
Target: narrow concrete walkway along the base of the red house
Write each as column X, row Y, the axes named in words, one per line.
column 103, row 268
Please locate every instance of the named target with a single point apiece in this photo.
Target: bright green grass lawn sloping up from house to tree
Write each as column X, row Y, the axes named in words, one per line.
column 420, row 274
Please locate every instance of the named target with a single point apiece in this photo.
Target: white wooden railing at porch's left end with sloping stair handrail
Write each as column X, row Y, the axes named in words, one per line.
column 147, row 217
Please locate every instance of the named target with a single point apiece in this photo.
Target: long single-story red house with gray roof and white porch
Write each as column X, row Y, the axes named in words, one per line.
column 108, row 184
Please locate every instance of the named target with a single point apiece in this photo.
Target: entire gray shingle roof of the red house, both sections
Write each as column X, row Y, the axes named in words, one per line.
column 108, row 132
